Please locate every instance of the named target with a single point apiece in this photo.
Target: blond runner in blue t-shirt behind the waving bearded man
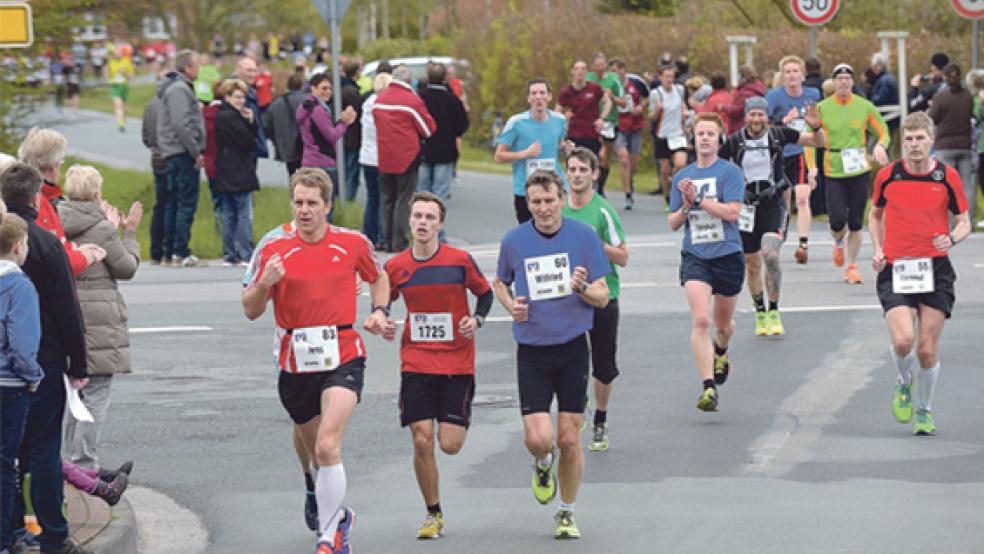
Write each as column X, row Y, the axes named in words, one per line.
column 786, row 107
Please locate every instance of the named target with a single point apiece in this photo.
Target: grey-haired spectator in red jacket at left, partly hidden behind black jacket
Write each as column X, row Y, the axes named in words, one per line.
column 44, row 150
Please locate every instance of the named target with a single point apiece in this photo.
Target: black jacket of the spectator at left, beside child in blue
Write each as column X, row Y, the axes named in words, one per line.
column 62, row 327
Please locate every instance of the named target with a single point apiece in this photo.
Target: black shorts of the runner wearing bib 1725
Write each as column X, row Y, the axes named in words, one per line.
column 446, row 398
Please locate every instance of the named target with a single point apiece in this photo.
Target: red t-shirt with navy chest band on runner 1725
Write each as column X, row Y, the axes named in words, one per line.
column 436, row 285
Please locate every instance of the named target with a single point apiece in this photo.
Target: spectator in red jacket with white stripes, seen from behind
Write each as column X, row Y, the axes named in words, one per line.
column 402, row 121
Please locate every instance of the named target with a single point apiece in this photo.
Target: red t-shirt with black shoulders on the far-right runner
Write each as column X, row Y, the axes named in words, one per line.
column 916, row 208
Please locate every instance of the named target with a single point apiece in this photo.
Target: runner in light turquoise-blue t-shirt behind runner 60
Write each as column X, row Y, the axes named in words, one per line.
column 531, row 140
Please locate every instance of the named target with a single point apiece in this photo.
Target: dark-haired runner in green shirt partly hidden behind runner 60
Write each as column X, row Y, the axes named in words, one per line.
column 584, row 205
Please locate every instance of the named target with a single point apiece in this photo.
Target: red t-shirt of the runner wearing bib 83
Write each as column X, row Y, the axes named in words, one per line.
column 318, row 288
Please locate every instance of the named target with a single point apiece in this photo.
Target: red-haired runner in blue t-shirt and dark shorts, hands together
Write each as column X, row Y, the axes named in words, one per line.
column 706, row 200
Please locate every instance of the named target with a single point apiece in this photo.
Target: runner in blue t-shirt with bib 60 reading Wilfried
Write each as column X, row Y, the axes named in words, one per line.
column 558, row 268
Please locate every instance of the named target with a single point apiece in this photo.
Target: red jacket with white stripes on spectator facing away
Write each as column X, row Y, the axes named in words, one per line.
column 402, row 121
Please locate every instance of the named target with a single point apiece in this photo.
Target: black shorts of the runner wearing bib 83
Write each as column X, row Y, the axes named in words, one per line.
column 300, row 393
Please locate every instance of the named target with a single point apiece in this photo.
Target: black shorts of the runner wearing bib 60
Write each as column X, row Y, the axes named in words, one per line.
column 556, row 369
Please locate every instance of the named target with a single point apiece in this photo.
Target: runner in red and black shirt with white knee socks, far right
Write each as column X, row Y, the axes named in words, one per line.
column 910, row 229
